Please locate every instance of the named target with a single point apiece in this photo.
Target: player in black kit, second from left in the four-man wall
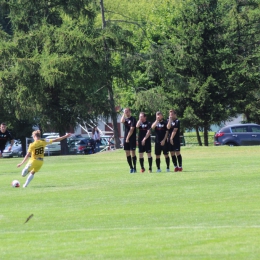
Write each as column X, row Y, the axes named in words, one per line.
column 144, row 141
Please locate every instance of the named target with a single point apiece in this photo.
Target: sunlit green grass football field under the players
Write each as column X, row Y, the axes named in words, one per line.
column 90, row 207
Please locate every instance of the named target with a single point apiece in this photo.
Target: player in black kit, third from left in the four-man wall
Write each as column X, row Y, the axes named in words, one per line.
column 161, row 133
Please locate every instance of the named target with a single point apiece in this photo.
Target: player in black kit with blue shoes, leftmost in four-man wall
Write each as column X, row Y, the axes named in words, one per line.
column 130, row 138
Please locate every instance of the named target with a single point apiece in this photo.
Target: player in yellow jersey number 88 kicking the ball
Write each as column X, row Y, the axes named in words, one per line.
column 36, row 151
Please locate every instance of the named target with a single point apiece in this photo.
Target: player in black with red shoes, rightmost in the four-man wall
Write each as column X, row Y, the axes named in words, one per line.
column 174, row 140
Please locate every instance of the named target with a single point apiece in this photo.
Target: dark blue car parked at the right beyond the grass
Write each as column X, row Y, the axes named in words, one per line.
column 239, row 134
